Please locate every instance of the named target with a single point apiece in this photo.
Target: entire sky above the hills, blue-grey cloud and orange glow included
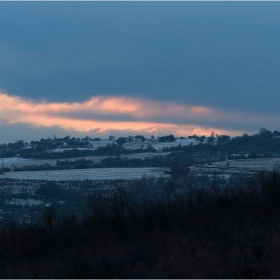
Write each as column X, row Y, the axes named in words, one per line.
column 126, row 68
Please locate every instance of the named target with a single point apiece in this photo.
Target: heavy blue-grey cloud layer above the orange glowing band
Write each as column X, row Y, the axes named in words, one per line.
column 218, row 54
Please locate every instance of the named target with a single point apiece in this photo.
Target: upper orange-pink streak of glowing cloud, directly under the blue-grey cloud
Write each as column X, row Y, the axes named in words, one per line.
column 101, row 105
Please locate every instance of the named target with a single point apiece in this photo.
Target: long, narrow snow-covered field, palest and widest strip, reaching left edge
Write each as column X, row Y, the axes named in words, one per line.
column 90, row 174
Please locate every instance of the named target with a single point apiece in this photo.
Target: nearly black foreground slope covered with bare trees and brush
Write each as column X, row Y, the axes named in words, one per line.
column 213, row 233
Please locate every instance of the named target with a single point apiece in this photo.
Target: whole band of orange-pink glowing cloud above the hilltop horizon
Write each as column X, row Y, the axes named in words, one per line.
column 123, row 115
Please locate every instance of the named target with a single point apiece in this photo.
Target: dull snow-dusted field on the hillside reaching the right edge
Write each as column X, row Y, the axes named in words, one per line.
column 248, row 166
